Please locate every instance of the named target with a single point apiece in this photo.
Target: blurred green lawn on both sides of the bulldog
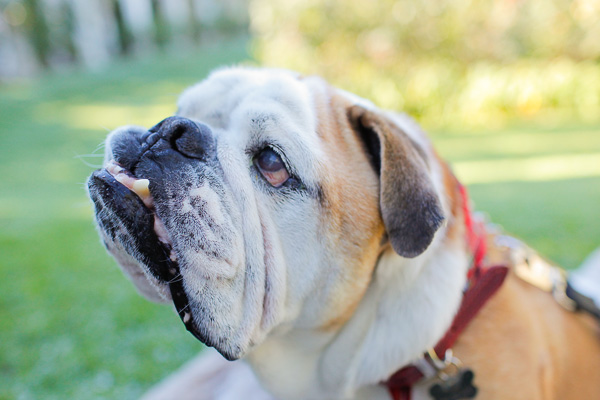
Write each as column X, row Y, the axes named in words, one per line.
column 72, row 327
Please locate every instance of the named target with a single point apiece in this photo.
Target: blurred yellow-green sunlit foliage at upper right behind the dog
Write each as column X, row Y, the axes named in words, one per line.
column 444, row 60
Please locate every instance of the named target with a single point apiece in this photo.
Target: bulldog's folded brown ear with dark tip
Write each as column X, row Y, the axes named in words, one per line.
column 410, row 207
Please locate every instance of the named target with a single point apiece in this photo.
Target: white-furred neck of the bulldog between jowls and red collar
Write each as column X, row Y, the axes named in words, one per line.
column 386, row 332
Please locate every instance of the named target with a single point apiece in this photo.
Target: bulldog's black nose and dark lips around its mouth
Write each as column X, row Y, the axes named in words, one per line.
column 130, row 220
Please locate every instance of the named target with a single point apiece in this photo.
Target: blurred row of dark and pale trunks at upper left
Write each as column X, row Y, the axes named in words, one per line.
column 92, row 32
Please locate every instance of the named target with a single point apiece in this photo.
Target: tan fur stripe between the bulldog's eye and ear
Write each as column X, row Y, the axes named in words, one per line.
column 365, row 230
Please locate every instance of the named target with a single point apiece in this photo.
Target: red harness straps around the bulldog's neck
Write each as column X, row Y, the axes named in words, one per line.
column 482, row 284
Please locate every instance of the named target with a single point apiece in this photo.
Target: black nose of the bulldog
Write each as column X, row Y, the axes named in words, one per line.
column 194, row 140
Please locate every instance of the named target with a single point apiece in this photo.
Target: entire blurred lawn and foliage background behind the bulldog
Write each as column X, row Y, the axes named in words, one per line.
column 509, row 89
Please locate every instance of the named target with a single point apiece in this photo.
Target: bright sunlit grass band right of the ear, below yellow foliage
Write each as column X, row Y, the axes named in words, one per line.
column 521, row 155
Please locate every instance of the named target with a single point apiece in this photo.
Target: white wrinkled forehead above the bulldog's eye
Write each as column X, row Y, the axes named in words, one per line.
column 257, row 107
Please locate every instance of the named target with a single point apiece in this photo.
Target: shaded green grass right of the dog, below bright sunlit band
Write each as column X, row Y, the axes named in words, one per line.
column 557, row 218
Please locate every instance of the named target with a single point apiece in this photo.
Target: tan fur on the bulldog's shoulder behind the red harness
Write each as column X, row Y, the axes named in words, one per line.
column 522, row 345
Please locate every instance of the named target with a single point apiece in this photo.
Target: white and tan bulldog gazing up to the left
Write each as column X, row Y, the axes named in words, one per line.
column 322, row 240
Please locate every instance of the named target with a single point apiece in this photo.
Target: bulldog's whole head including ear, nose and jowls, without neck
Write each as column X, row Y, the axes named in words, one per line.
column 270, row 199
